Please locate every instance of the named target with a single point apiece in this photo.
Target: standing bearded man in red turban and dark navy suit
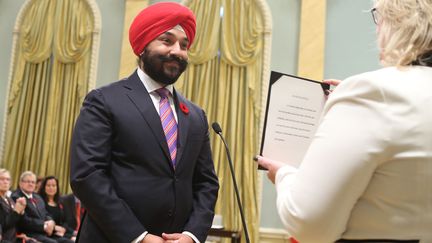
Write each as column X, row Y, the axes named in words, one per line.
column 143, row 177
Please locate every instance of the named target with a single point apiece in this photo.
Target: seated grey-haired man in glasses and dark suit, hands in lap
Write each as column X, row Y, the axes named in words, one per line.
column 36, row 221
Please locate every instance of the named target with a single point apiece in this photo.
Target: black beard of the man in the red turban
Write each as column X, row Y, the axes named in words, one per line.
column 153, row 67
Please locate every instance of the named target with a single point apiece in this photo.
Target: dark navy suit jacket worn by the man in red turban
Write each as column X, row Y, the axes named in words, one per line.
column 122, row 172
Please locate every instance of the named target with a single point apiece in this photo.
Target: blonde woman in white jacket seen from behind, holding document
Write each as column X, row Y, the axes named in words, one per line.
column 367, row 176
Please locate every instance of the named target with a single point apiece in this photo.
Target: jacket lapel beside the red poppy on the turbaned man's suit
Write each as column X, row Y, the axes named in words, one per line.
column 183, row 126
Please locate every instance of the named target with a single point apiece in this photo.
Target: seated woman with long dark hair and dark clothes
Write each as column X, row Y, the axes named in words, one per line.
column 50, row 193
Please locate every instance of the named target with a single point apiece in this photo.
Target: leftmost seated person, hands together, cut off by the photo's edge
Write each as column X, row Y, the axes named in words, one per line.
column 10, row 213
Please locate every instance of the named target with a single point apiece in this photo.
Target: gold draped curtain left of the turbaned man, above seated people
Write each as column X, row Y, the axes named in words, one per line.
column 49, row 81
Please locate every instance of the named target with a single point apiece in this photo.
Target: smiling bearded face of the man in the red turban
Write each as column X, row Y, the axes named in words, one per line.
column 165, row 58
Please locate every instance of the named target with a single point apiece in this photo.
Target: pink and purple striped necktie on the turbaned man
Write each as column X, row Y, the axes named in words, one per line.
column 169, row 123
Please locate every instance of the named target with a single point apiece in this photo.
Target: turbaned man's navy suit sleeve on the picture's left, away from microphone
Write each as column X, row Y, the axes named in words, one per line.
column 90, row 163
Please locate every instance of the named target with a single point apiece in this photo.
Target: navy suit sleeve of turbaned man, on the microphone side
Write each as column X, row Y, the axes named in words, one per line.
column 205, row 190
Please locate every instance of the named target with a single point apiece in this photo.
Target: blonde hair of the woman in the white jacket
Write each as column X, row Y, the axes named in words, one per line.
column 405, row 35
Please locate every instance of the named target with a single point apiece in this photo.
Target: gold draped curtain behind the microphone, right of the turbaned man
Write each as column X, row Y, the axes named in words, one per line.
column 225, row 78
